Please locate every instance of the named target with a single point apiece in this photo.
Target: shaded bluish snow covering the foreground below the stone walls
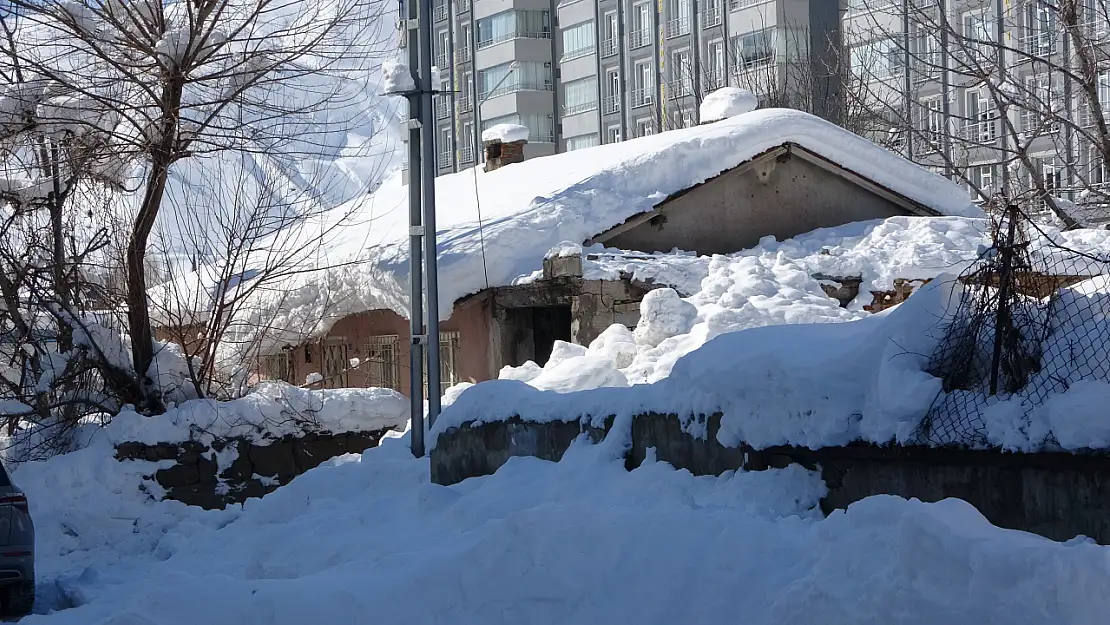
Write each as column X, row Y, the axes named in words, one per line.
column 583, row 541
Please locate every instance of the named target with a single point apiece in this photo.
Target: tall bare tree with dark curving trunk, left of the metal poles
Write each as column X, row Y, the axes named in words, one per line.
column 189, row 80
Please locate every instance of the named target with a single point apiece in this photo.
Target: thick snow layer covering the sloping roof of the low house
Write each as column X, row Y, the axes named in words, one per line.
column 517, row 214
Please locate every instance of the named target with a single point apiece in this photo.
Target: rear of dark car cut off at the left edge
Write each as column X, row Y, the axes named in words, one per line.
column 17, row 550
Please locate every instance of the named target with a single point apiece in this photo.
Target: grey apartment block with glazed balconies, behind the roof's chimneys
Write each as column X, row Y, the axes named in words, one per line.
column 598, row 72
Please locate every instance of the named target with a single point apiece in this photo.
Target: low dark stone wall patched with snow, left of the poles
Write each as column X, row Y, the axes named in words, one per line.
column 236, row 470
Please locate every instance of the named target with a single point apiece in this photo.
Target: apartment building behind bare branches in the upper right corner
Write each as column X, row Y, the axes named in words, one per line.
column 903, row 62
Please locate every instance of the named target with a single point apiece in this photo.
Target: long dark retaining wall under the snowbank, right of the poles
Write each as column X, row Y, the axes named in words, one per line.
column 1058, row 496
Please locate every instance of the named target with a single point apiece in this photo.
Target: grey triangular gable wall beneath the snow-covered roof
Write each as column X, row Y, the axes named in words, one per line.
column 783, row 197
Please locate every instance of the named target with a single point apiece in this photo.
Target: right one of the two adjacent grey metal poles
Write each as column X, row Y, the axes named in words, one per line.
column 428, row 182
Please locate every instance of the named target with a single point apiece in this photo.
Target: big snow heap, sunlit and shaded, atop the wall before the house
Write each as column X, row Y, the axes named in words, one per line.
column 793, row 379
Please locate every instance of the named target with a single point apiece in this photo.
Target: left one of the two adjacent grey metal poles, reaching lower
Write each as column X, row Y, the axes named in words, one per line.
column 416, row 241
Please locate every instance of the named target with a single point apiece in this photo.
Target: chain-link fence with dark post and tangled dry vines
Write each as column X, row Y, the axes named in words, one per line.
column 1032, row 322
